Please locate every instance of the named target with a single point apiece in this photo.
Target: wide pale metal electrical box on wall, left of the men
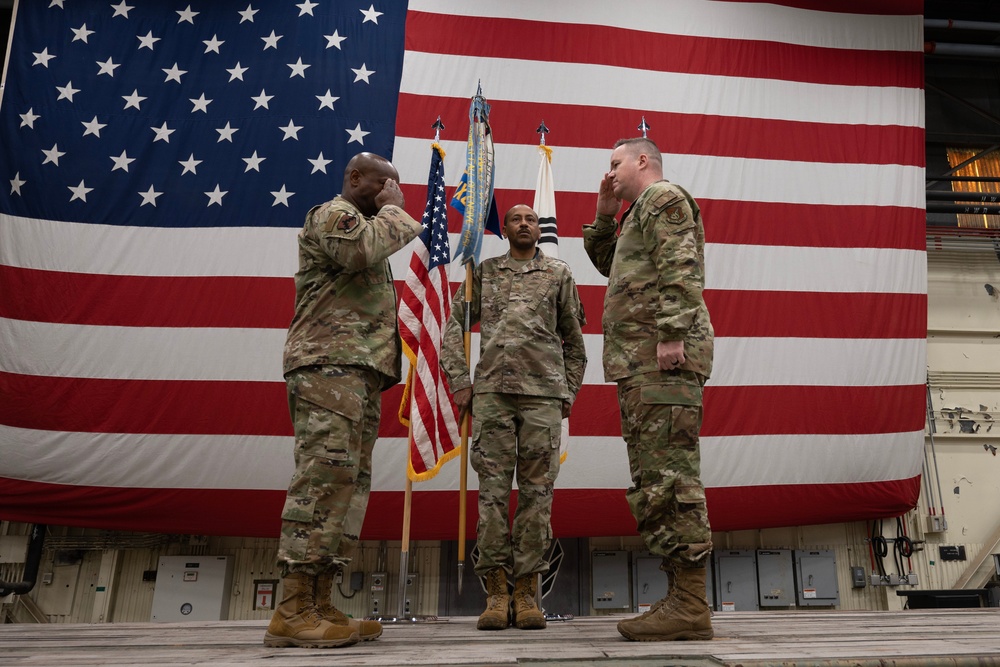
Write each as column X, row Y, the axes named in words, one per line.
column 192, row 588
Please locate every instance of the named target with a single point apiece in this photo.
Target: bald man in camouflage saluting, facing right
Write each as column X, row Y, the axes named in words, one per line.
column 342, row 351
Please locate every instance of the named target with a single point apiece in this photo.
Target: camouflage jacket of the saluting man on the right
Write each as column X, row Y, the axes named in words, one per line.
column 656, row 274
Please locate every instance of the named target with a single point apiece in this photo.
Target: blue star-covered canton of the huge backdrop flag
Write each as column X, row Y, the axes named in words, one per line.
column 187, row 114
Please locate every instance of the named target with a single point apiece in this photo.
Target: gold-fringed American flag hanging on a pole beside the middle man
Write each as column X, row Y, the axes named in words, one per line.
column 424, row 309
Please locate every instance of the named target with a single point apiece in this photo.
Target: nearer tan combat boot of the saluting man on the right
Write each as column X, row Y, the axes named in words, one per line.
column 685, row 614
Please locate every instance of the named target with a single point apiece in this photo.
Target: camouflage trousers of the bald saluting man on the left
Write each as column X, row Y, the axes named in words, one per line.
column 335, row 411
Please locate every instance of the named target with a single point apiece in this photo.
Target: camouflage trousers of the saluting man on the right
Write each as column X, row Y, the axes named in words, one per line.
column 661, row 419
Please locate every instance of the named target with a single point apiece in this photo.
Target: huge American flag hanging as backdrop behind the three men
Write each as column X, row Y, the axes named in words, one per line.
column 157, row 159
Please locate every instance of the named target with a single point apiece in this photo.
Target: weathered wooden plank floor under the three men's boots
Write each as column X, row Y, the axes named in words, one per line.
column 789, row 639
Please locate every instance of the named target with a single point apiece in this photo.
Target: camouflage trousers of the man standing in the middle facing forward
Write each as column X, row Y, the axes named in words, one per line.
column 515, row 435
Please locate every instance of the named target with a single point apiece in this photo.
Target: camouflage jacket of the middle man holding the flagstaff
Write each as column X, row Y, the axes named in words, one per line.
column 531, row 341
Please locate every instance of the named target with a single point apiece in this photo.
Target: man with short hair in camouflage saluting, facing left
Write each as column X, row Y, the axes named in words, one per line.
column 658, row 343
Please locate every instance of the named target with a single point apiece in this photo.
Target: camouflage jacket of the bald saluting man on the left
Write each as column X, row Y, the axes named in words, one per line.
column 345, row 300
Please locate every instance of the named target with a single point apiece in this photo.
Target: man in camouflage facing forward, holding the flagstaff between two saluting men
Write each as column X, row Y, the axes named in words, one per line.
column 530, row 368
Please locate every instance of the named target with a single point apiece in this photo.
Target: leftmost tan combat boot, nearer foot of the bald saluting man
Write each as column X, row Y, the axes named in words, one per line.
column 297, row 621
